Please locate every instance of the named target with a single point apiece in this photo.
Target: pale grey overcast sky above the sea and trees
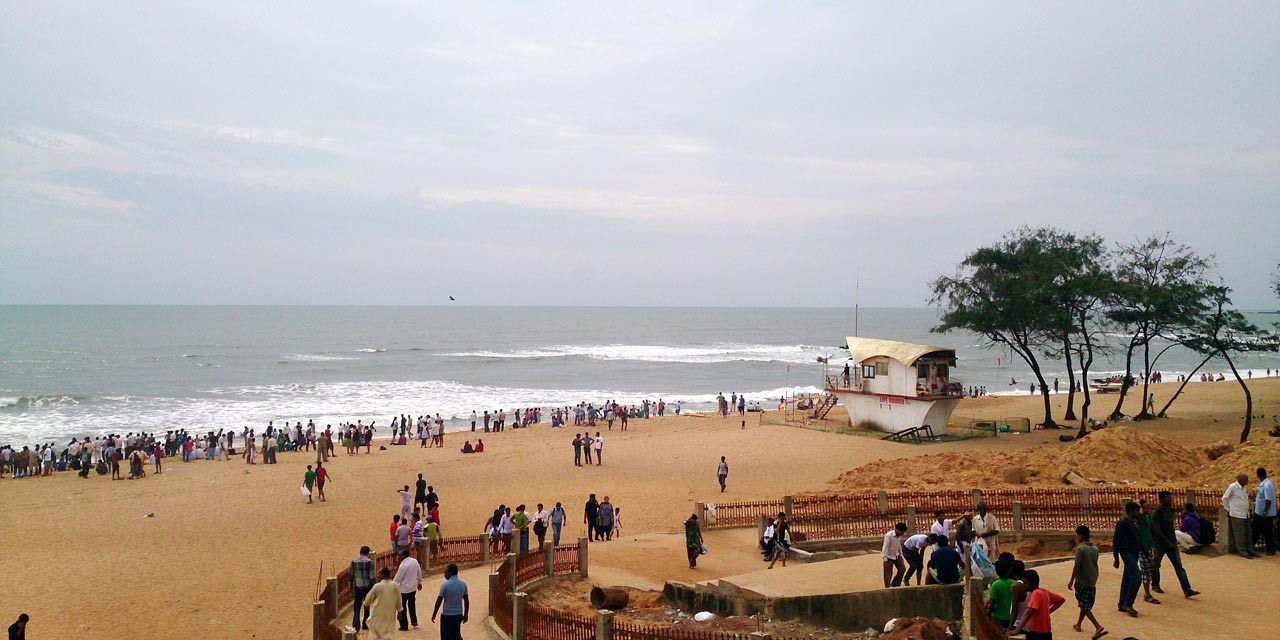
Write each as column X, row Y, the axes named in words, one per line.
column 743, row 154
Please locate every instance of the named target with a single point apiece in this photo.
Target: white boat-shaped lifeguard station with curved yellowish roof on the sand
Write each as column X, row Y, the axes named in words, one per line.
column 895, row 386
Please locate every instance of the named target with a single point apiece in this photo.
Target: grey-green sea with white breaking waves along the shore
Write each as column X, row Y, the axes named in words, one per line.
column 70, row 372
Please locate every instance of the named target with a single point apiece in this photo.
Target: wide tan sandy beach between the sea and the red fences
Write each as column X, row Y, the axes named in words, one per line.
column 234, row 551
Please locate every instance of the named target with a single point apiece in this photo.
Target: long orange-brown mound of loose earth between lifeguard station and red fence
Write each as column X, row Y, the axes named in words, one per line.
column 1109, row 458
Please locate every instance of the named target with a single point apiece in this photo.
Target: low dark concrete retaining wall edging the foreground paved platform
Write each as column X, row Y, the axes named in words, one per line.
column 845, row 612
